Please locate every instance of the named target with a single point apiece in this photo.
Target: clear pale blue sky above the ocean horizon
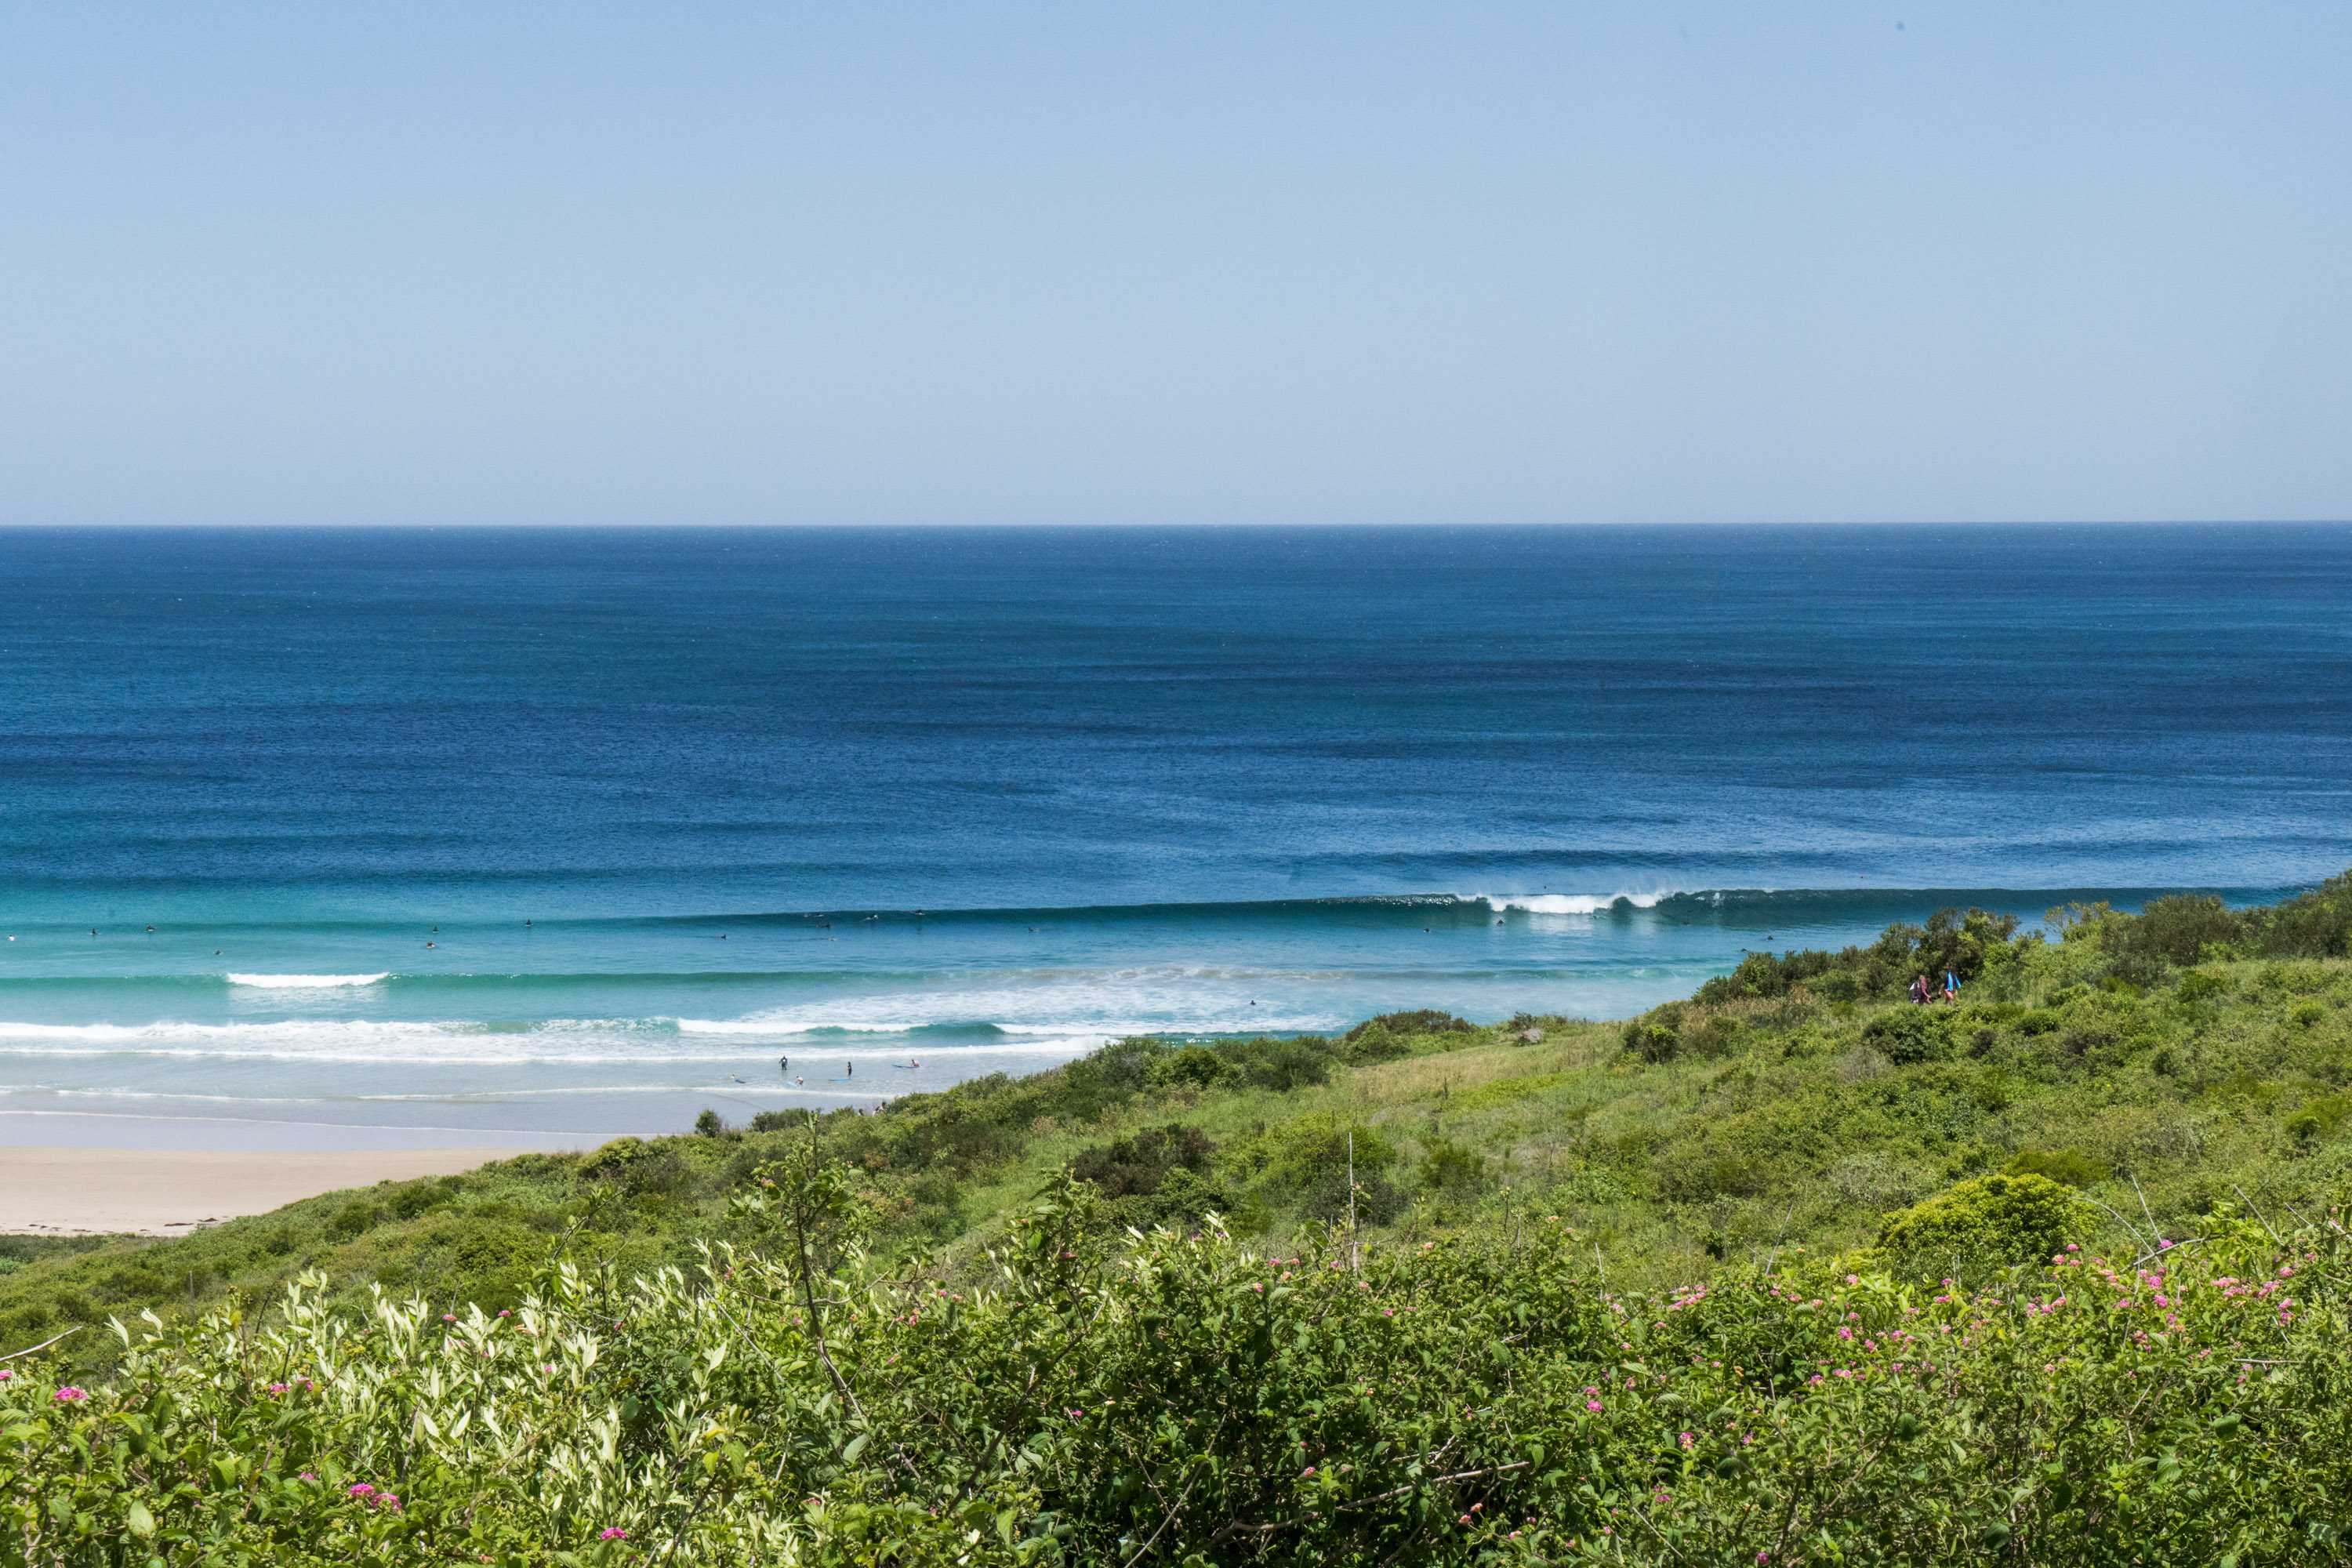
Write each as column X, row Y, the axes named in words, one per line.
column 1175, row 262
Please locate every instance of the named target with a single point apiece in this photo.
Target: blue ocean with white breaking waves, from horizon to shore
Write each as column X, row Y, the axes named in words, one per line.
column 474, row 833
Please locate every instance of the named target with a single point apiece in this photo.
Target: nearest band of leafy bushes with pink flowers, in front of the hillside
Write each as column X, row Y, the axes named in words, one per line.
column 1464, row 1402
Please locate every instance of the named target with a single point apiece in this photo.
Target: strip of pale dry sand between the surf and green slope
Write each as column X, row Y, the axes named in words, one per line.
column 168, row 1193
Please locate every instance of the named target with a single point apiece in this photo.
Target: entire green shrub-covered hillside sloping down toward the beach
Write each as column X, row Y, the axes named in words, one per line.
column 1789, row 1273
